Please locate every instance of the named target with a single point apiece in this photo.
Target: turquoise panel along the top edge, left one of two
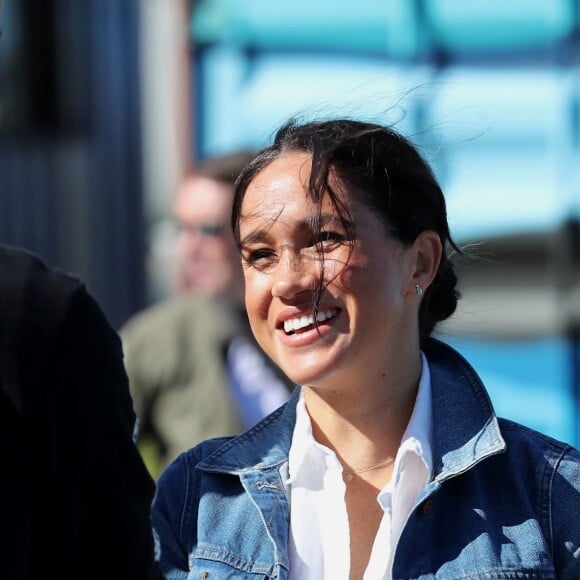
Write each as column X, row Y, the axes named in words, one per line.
column 365, row 26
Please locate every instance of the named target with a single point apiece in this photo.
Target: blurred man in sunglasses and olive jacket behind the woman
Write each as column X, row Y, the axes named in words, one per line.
column 194, row 369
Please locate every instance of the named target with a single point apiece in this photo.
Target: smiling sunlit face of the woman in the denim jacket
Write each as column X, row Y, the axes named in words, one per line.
column 368, row 309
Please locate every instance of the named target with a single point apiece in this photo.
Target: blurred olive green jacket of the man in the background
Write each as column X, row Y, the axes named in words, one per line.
column 175, row 358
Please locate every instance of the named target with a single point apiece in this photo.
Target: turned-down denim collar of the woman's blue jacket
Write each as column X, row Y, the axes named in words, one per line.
column 465, row 428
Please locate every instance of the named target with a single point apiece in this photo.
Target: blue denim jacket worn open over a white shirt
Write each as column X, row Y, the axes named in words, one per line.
column 504, row 501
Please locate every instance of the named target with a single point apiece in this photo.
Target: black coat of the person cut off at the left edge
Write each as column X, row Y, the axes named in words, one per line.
column 74, row 492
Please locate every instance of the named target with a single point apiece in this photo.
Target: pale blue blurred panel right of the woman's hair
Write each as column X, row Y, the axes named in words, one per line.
column 504, row 152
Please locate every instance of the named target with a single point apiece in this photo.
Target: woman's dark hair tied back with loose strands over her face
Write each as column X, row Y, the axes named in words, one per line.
column 388, row 175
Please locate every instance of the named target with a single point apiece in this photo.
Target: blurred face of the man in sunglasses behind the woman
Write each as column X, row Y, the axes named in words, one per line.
column 209, row 256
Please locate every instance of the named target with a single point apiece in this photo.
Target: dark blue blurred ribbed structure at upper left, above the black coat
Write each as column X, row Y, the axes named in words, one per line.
column 70, row 152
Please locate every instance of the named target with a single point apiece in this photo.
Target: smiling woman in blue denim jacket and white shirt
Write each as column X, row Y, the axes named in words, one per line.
column 388, row 460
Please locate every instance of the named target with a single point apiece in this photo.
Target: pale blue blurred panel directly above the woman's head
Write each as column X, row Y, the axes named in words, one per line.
column 244, row 101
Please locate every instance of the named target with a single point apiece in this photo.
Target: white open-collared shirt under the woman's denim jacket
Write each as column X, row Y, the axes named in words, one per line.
column 319, row 531
